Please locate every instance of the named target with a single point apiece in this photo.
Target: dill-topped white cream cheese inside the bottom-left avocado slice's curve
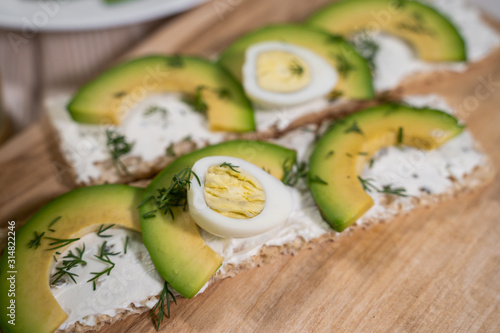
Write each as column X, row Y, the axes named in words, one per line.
column 132, row 281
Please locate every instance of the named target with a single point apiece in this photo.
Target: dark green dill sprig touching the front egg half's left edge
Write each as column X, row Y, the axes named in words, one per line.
column 173, row 196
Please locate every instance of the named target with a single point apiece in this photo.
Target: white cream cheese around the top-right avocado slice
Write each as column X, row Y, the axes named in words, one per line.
column 396, row 61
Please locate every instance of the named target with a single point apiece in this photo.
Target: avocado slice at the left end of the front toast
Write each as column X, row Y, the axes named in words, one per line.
column 81, row 211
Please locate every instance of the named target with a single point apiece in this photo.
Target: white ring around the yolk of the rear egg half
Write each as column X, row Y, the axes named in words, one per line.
column 324, row 76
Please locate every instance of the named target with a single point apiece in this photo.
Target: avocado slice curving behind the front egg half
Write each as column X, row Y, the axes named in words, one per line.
column 179, row 253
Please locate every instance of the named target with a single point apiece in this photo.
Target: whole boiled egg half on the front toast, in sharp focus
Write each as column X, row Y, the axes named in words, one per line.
column 235, row 198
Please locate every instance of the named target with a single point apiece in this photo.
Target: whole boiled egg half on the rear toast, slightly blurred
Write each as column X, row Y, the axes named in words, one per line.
column 283, row 74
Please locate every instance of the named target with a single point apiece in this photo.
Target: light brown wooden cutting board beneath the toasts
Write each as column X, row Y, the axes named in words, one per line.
column 435, row 270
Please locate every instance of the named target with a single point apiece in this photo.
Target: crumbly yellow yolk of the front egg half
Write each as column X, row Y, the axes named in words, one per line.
column 233, row 192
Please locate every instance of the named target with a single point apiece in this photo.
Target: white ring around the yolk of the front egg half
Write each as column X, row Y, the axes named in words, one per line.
column 277, row 206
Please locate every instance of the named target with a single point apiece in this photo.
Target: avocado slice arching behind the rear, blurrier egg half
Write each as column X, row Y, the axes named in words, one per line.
column 355, row 80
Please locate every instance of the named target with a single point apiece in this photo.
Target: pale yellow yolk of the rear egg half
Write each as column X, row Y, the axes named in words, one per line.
column 281, row 71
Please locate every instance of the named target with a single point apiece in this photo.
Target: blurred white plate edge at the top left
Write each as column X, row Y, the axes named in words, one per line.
column 51, row 15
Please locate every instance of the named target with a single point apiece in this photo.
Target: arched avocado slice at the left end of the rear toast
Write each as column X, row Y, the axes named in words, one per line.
column 108, row 98
